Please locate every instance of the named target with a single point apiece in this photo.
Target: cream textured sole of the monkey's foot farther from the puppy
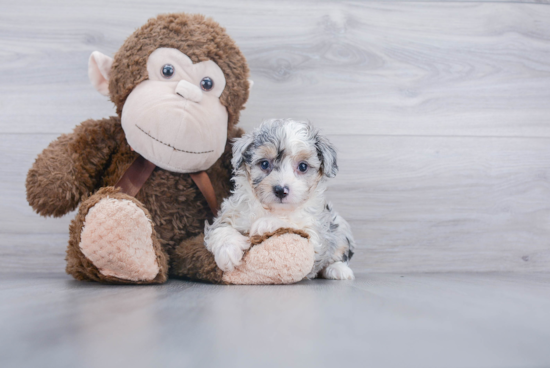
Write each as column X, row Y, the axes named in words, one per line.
column 116, row 237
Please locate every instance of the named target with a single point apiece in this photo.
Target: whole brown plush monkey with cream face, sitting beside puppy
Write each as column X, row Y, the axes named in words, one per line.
column 148, row 179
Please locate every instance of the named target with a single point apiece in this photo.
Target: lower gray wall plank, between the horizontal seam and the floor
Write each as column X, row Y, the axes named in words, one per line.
column 415, row 204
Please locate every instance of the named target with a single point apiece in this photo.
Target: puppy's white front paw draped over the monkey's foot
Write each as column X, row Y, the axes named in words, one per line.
column 227, row 245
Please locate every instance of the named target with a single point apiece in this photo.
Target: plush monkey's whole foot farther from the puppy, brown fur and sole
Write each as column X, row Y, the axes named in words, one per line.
column 113, row 240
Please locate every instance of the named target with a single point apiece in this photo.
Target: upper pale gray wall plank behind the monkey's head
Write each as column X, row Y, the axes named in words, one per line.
column 383, row 68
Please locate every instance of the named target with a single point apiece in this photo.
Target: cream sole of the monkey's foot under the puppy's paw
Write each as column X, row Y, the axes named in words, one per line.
column 283, row 259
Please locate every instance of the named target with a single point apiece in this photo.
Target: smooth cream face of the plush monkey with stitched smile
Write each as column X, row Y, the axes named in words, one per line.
column 175, row 118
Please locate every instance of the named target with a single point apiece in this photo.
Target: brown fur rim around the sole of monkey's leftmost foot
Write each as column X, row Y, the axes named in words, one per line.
column 81, row 268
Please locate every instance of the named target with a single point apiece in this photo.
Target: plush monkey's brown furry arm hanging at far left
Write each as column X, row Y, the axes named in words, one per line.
column 71, row 166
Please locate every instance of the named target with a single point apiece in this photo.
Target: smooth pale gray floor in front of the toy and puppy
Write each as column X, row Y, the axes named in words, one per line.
column 378, row 320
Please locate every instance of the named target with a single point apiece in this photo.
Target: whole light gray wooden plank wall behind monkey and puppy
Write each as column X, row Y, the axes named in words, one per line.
column 440, row 111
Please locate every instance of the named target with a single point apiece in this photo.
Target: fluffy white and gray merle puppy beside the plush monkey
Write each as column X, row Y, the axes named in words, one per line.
column 280, row 172
